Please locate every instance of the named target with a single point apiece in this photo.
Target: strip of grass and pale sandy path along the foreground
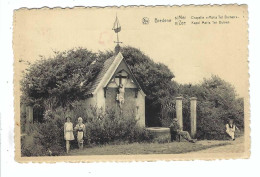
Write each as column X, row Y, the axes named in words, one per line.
column 205, row 146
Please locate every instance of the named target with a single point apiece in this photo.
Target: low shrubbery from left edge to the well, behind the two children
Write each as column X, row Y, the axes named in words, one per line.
column 47, row 138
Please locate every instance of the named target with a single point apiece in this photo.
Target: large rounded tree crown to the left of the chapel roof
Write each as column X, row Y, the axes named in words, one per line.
column 60, row 80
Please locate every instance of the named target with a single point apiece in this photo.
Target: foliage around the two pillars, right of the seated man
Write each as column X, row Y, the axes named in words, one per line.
column 217, row 102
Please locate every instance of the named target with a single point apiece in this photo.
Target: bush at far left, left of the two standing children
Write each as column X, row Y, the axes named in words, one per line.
column 44, row 138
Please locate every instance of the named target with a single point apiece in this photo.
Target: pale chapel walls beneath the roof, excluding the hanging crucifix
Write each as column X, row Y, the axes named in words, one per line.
column 133, row 106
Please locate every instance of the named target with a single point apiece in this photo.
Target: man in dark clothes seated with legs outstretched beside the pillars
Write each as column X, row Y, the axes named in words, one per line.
column 176, row 130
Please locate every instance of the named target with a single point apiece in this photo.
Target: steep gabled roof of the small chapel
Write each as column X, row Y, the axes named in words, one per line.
column 107, row 72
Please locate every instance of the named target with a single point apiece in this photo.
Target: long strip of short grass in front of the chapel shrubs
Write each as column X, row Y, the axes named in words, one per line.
column 147, row 148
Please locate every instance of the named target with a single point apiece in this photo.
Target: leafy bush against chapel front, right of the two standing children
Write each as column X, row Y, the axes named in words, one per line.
column 111, row 127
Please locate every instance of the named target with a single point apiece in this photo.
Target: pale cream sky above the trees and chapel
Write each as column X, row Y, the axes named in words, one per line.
column 192, row 52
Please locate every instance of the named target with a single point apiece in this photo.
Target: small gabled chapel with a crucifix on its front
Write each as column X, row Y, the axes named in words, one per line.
column 115, row 87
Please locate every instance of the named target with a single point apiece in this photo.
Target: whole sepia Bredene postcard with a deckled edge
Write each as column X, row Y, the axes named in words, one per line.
column 166, row 83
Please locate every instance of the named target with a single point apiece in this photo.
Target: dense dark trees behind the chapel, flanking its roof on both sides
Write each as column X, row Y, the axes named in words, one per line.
column 65, row 78
